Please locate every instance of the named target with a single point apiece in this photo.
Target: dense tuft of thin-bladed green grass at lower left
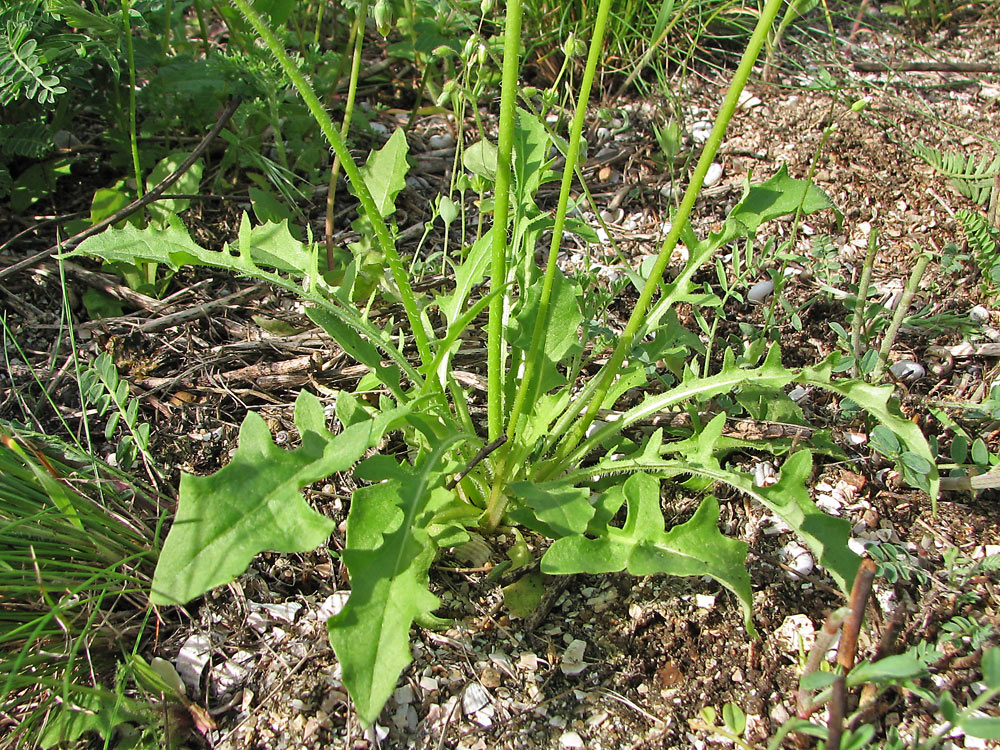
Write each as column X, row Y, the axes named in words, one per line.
column 78, row 544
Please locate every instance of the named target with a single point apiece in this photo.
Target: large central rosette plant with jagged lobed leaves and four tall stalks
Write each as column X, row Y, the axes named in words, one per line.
column 542, row 461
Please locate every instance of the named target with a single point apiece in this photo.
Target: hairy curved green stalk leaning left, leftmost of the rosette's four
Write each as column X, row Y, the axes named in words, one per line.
column 353, row 174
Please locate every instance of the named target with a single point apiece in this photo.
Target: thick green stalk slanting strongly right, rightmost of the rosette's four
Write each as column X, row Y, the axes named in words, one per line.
column 729, row 104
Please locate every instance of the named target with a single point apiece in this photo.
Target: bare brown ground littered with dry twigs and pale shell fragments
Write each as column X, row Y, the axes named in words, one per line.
column 656, row 651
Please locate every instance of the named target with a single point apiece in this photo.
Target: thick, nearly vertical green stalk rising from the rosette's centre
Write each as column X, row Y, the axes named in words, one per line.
column 498, row 264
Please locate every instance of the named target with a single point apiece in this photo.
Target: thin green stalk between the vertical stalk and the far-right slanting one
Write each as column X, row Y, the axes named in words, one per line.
column 528, row 385
